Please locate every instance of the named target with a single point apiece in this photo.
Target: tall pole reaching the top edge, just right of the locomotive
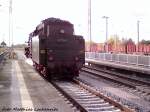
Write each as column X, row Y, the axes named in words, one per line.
column 89, row 23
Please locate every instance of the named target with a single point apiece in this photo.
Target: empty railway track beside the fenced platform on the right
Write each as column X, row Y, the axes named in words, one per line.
column 136, row 86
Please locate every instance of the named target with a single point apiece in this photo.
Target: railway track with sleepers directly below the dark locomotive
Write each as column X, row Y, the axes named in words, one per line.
column 87, row 99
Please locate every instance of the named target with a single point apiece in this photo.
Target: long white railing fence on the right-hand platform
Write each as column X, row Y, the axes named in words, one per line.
column 139, row 60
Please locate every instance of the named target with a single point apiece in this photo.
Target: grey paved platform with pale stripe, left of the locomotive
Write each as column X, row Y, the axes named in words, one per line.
column 21, row 88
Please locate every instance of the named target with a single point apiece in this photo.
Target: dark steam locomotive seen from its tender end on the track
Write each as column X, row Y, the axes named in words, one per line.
column 55, row 50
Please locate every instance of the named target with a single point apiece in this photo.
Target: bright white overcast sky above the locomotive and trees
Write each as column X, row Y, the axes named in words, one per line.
column 123, row 16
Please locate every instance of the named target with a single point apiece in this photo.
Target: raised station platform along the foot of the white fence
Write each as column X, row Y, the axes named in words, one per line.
column 134, row 68
